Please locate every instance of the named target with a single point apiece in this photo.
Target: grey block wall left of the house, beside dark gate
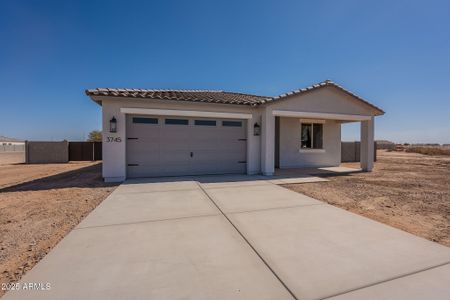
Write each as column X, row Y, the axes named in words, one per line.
column 46, row 152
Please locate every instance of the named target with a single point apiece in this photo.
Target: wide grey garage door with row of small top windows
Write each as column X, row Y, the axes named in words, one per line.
column 173, row 146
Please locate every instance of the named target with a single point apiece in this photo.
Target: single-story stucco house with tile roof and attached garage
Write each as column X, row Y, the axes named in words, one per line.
column 149, row 133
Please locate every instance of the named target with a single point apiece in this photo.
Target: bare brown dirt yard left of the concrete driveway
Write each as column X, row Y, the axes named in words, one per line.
column 39, row 205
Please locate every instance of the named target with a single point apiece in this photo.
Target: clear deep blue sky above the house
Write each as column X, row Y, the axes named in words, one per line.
column 395, row 54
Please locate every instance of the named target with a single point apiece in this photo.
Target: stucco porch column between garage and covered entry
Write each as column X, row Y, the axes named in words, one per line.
column 268, row 142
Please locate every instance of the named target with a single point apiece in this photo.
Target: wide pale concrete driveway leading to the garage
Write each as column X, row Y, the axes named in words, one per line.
column 235, row 237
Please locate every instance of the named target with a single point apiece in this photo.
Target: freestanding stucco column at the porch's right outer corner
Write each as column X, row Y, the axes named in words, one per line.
column 367, row 151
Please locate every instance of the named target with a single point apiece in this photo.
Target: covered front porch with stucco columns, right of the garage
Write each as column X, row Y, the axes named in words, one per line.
column 284, row 130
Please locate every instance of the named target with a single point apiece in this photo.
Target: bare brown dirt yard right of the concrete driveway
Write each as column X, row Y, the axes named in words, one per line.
column 406, row 190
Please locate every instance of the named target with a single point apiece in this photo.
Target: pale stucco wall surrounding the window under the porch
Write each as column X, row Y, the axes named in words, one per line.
column 290, row 155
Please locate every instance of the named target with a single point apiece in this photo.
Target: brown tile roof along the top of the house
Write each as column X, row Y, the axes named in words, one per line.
column 216, row 96
